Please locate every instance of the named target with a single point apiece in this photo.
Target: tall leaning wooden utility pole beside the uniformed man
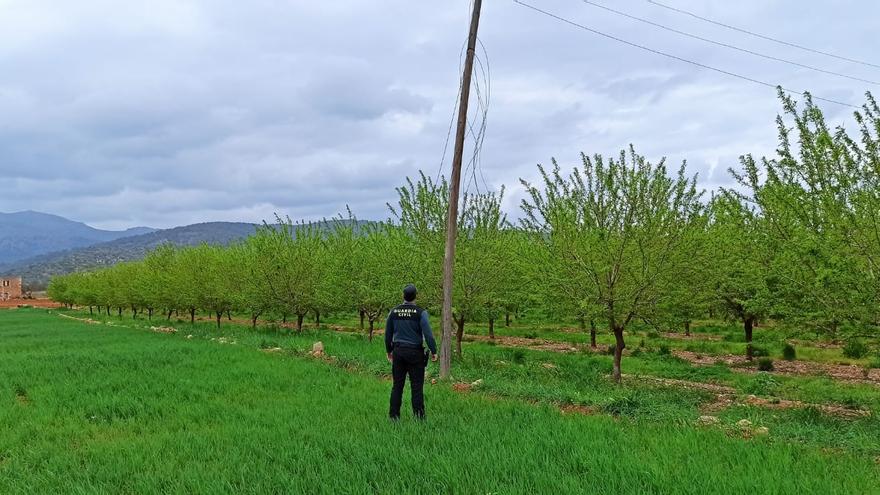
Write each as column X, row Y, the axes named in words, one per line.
column 455, row 186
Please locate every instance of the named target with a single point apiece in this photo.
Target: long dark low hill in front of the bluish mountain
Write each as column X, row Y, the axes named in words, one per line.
column 37, row 271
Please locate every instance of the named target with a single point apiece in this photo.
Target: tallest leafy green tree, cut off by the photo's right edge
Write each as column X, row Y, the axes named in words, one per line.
column 819, row 197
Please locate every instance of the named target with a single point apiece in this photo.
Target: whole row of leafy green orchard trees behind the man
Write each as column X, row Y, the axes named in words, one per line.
column 613, row 242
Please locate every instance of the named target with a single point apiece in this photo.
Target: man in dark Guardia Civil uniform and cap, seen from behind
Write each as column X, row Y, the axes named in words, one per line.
column 407, row 327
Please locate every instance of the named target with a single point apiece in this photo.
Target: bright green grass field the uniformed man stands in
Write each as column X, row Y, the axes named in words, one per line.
column 89, row 408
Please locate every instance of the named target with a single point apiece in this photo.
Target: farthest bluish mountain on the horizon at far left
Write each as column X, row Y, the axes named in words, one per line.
column 27, row 234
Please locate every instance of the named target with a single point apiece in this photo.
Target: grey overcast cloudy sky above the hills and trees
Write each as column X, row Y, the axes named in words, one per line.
column 169, row 112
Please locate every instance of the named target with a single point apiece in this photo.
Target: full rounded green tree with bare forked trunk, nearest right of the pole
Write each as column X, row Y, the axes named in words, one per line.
column 616, row 226
